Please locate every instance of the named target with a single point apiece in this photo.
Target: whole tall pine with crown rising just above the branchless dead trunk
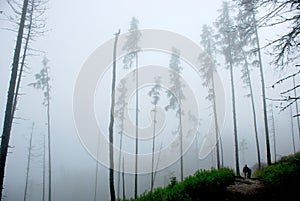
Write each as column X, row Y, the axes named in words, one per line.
column 132, row 49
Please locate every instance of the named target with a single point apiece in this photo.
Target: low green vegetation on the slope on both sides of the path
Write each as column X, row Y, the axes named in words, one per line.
column 281, row 180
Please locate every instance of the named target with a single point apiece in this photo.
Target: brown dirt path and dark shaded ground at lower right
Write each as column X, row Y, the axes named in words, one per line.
column 254, row 190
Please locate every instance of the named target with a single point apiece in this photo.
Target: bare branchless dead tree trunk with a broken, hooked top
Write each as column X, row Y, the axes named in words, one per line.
column 111, row 125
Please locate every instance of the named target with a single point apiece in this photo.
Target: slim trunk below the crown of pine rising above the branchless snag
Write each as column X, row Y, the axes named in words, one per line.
column 136, row 128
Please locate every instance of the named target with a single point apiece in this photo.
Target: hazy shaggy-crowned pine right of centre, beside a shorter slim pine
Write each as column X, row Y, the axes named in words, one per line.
column 176, row 96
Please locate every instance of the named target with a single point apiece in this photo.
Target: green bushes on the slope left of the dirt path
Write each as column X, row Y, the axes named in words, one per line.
column 202, row 184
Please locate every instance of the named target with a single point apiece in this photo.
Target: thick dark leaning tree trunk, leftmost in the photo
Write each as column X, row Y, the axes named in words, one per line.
column 10, row 97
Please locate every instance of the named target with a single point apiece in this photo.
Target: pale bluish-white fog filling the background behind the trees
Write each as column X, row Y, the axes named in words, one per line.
column 75, row 33
